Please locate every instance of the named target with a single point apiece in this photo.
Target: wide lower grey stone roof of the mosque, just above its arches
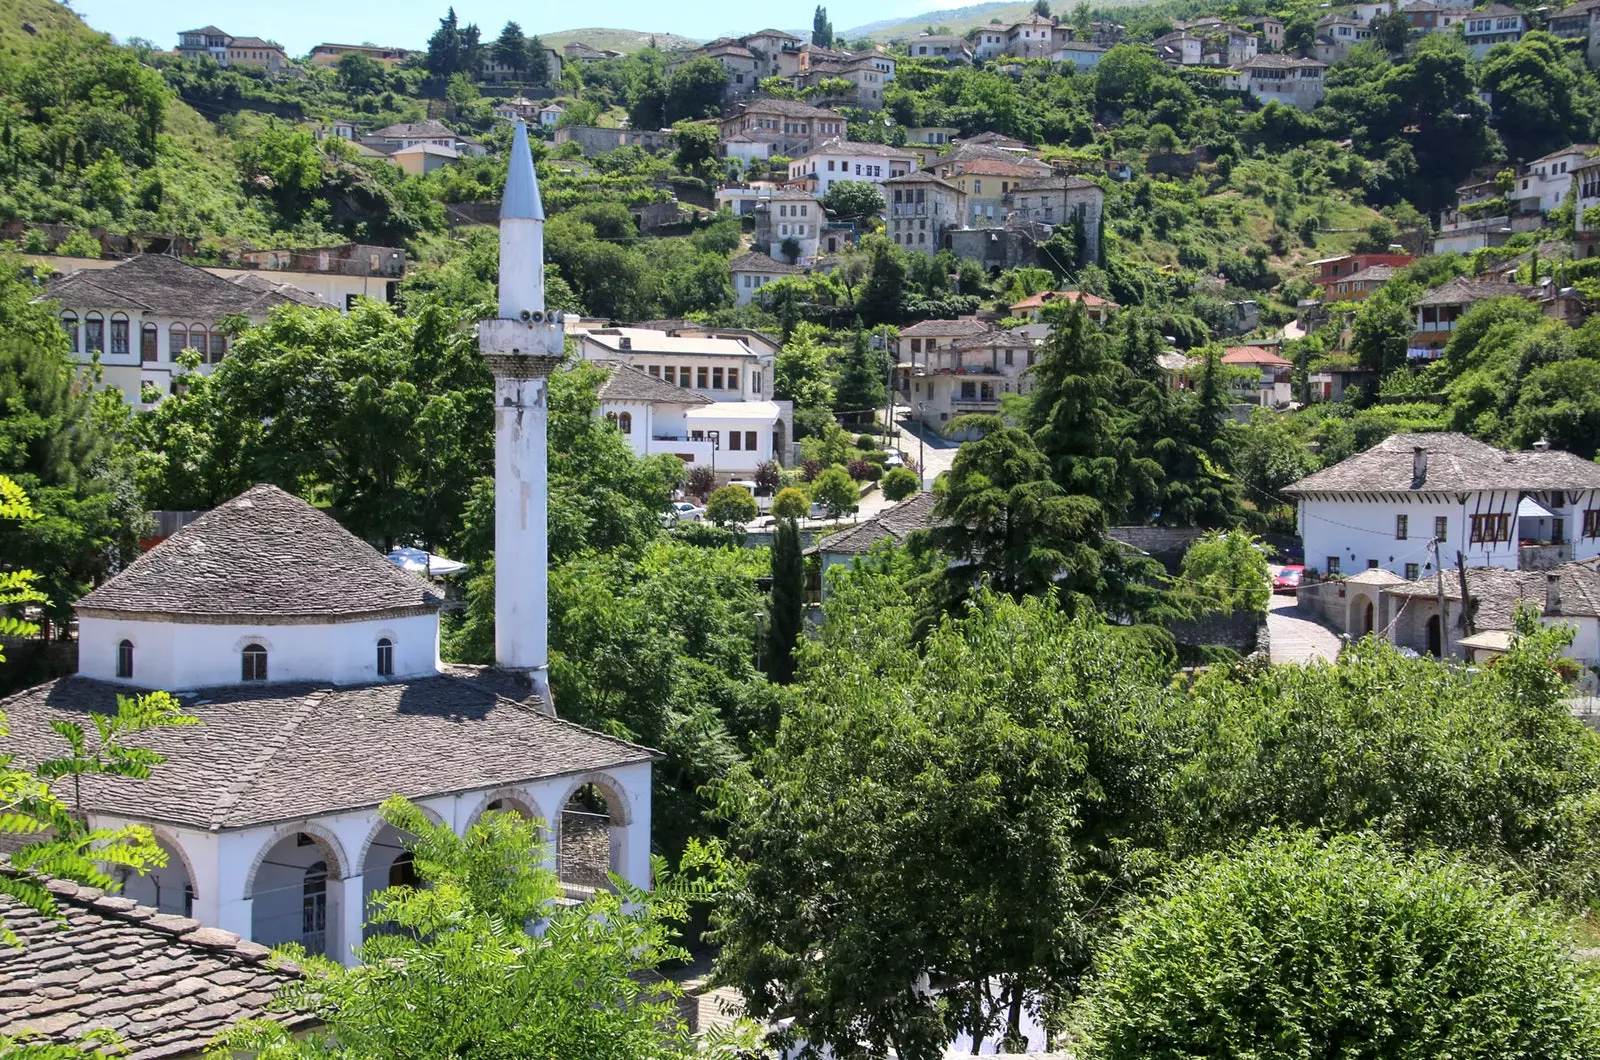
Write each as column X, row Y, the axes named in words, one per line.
column 268, row 753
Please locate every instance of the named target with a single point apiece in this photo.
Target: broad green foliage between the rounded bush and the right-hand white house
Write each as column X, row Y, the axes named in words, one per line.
column 1490, row 766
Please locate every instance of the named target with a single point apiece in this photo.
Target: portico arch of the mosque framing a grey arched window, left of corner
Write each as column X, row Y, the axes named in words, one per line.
column 295, row 894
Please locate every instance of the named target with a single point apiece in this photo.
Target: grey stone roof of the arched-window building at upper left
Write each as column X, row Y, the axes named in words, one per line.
column 166, row 286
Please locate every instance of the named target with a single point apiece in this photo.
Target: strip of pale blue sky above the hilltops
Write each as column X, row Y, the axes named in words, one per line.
column 298, row 25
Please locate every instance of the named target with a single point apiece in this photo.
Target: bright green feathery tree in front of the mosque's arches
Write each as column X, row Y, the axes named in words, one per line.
column 585, row 986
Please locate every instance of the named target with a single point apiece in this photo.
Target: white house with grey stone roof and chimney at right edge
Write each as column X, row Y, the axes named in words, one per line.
column 1386, row 507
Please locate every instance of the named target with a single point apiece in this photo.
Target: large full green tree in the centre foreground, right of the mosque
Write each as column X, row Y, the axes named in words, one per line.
column 983, row 800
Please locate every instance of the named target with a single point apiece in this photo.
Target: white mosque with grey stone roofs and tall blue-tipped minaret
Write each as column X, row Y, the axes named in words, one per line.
column 313, row 665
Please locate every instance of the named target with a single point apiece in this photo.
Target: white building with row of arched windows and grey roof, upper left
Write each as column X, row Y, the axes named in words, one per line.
column 142, row 315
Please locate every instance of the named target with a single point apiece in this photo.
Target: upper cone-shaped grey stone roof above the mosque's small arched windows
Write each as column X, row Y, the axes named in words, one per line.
column 263, row 556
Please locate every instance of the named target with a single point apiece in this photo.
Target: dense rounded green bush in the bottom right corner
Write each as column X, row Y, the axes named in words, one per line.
column 1292, row 949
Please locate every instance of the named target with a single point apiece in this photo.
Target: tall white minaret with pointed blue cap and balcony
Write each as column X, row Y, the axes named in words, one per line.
column 522, row 347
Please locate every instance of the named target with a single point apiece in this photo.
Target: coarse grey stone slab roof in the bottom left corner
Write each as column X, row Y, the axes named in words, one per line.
column 164, row 984
